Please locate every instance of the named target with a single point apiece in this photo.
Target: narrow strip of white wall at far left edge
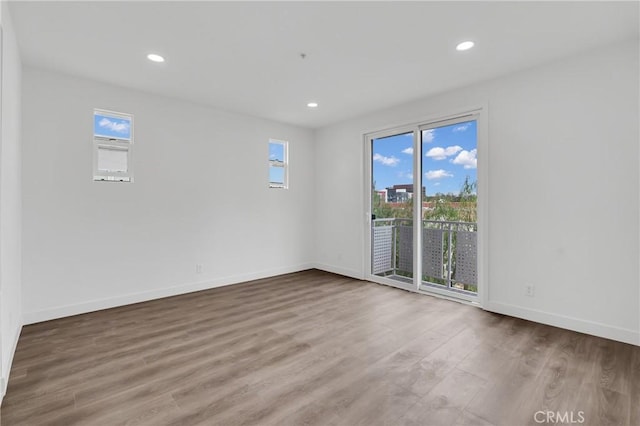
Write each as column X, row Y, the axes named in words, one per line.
column 10, row 200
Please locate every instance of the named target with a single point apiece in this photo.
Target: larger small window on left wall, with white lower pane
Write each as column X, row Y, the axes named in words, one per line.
column 112, row 146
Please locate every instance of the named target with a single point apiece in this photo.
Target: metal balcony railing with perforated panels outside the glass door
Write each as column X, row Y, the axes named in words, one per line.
column 449, row 252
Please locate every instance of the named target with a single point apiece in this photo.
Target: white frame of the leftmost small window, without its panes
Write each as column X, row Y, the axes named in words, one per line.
column 113, row 143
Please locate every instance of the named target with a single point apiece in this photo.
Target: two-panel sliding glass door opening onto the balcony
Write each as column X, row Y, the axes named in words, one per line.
column 423, row 205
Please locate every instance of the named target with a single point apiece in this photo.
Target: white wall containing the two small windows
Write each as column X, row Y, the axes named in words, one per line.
column 200, row 196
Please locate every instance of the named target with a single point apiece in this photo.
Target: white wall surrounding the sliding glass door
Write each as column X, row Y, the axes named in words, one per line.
column 563, row 182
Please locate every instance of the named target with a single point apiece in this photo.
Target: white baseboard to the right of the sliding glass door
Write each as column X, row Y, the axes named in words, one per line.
column 570, row 323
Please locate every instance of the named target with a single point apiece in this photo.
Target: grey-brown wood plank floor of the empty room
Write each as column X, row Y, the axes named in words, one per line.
column 312, row 348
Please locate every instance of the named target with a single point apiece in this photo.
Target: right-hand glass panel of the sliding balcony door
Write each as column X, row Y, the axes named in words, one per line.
column 449, row 208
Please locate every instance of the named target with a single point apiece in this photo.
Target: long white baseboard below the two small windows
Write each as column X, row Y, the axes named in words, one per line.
column 97, row 305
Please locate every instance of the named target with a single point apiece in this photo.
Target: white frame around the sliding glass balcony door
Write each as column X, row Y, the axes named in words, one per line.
column 478, row 113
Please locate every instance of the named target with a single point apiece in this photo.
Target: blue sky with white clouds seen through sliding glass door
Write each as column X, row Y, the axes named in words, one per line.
column 448, row 156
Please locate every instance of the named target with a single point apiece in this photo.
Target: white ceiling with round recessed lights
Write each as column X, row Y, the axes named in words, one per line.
column 361, row 56
